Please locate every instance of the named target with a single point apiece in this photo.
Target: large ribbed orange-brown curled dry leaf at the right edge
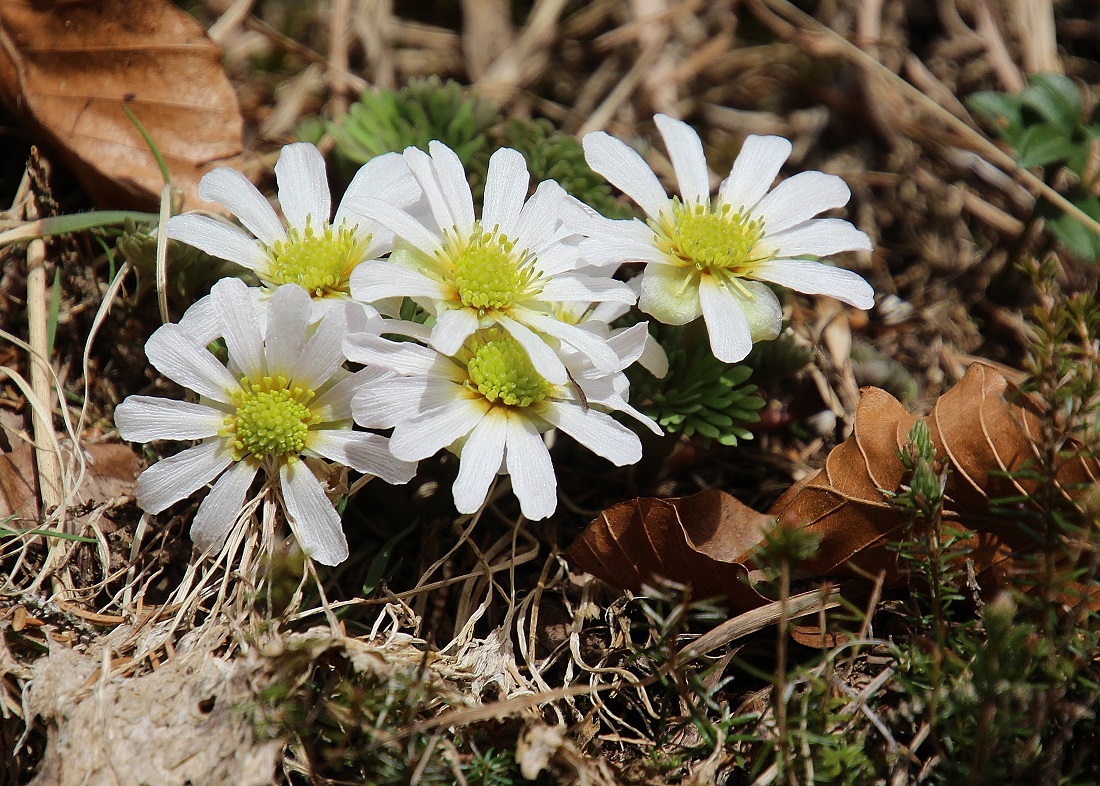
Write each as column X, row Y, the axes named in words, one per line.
column 976, row 427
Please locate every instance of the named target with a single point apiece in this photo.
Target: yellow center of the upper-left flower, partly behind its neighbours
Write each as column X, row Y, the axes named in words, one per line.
column 320, row 262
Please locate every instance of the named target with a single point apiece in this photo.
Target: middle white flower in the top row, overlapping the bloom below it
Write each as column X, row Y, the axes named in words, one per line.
column 507, row 269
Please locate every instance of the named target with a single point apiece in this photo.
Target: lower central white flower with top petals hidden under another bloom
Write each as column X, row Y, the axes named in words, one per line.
column 489, row 405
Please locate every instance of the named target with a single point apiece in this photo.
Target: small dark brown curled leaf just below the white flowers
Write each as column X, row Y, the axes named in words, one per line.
column 691, row 540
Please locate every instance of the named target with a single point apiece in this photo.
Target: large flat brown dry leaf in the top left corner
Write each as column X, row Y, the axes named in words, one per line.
column 70, row 68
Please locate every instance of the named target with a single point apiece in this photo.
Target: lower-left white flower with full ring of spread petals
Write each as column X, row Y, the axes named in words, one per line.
column 283, row 397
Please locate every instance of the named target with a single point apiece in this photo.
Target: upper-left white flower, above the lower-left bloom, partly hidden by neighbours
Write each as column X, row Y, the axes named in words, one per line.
column 311, row 251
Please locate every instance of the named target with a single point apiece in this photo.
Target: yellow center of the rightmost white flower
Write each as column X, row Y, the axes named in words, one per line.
column 712, row 238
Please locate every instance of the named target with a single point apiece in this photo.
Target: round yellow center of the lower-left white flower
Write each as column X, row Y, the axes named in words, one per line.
column 272, row 420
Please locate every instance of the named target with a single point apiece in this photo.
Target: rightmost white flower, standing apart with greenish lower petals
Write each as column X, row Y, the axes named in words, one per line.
column 712, row 257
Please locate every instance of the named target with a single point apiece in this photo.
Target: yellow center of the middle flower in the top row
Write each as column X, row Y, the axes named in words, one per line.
column 489, row 274
